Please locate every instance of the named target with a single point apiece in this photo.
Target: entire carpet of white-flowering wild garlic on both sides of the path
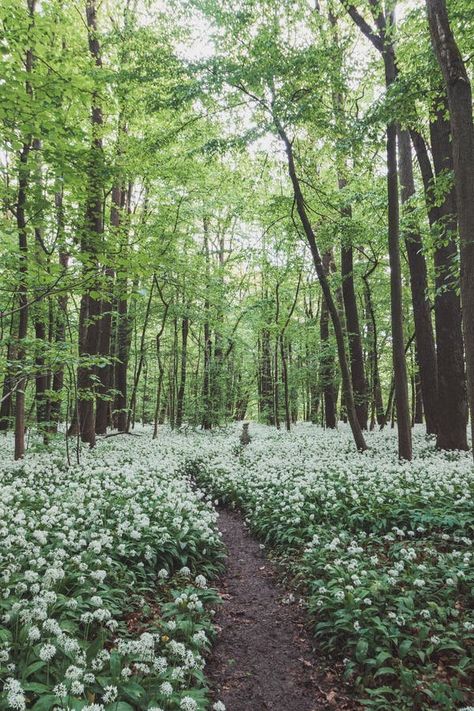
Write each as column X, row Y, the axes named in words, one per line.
column 105, row 565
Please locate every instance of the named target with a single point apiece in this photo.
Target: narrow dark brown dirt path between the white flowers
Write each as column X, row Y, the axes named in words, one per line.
column 262, row 659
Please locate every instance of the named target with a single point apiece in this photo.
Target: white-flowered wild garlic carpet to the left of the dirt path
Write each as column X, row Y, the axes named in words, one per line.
column 103, row 592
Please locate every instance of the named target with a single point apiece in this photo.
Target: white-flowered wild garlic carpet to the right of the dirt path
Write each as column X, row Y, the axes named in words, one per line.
column 382, row 551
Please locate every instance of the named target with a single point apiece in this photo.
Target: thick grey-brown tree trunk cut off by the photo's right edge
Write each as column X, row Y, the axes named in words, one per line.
column 460, row 109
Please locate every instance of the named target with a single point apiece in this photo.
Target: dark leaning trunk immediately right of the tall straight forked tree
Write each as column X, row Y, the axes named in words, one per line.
column 425, row 345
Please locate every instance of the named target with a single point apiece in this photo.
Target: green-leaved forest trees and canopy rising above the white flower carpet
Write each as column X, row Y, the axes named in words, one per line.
column 214, row 211
